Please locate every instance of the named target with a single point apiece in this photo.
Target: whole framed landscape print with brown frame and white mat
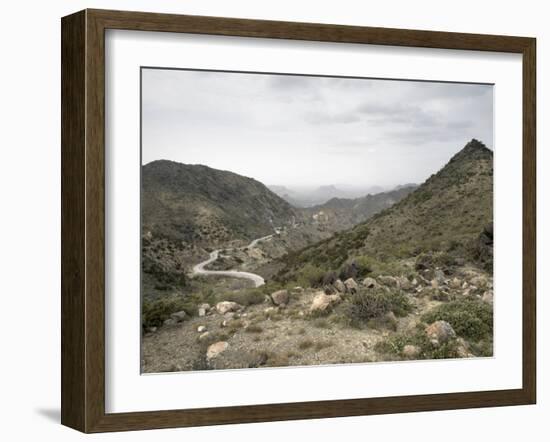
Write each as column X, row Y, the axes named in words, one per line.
column 268, row 220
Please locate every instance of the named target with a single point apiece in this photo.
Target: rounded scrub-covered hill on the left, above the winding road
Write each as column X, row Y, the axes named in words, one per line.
column 201, row 205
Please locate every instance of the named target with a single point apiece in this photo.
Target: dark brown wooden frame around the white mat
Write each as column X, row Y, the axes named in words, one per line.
column 83, row 216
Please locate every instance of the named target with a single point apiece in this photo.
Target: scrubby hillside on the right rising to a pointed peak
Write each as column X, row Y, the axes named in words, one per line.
column 448, row 213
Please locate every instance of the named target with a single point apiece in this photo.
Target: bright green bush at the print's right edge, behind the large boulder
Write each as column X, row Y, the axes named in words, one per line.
column 472, row 319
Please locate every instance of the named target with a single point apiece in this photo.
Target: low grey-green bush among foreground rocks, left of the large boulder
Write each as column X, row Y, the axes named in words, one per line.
column 366, row 305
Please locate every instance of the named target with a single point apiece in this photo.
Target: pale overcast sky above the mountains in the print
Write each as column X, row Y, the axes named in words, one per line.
column 311, row 131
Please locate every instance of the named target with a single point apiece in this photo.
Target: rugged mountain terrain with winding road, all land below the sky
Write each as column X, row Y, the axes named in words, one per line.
column 239, row 275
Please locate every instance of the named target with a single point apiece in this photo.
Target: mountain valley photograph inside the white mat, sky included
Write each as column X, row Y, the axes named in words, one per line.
column 305, row 220
